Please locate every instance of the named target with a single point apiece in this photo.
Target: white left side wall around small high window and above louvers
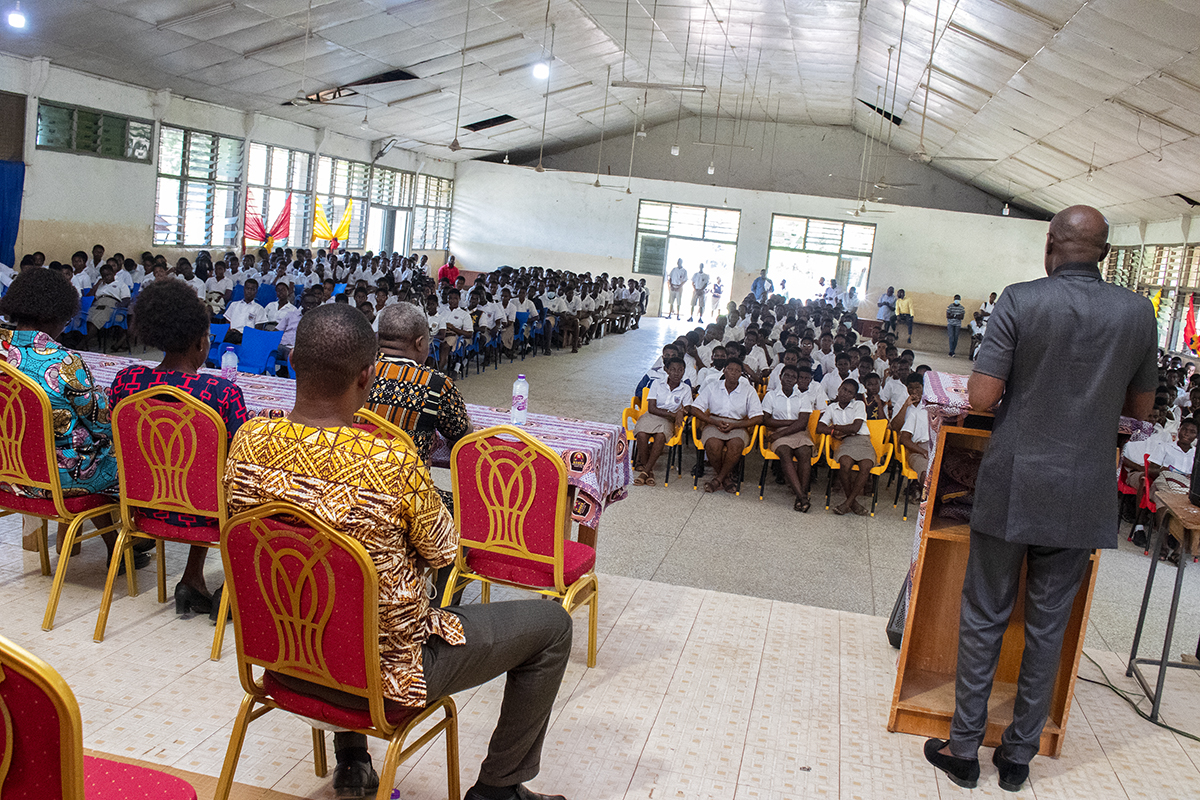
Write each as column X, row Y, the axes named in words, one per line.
column 73, row 202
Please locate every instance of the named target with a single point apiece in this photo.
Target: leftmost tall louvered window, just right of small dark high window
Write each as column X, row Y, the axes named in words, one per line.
column 199, row 201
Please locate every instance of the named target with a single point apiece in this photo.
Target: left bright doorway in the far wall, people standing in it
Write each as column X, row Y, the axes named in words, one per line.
column 700, row 236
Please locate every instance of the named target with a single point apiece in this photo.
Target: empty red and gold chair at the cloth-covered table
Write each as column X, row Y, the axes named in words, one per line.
column 511, row 502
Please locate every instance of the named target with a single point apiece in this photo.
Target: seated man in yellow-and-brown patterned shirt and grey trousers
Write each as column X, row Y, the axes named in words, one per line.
column 381, row 494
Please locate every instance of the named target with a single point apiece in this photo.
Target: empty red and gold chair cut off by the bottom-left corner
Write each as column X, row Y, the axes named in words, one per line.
column 41, row 743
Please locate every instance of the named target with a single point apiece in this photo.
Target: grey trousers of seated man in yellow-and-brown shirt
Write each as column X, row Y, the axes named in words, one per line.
column 531, row 641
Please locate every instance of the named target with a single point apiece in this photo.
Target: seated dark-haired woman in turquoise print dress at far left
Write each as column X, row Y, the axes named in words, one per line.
column 41, row 304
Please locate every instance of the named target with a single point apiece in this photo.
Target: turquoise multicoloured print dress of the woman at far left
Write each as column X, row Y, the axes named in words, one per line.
column 83, row 434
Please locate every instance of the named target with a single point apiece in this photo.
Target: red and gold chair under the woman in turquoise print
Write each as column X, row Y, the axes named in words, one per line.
column 28, row 459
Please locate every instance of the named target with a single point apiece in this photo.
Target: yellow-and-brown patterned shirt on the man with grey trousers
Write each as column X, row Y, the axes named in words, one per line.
column 377, row 492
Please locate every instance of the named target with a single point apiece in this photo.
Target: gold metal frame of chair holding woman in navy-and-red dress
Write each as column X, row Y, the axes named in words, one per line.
column 170, row 494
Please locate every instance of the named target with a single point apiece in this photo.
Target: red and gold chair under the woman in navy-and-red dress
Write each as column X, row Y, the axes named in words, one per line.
column 171, row 454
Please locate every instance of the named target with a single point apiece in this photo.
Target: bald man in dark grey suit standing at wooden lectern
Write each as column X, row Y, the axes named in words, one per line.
column 1069, row 354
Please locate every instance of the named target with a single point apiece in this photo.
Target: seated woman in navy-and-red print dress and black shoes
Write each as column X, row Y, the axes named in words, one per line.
column 170, row 317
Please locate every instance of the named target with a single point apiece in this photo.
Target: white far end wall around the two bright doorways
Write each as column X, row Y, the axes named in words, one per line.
column 513, row 215
